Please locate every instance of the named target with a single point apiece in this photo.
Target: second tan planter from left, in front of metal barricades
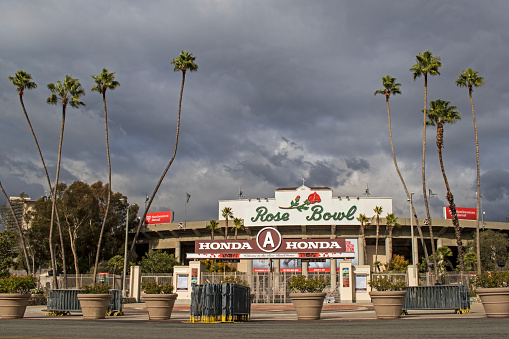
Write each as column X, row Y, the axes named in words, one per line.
column 94, row 300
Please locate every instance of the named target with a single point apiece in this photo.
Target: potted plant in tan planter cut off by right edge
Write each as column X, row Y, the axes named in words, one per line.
column 492, row 288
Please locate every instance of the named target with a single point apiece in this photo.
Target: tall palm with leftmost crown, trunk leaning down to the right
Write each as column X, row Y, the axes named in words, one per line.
column 23, row 80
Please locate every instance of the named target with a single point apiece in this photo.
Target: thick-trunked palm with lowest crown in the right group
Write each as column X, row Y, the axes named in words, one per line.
column 441, row 113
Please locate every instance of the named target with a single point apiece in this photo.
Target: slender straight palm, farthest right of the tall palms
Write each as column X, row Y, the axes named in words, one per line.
column 469, row 78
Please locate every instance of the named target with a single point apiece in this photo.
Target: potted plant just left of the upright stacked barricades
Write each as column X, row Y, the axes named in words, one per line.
column 159, row 299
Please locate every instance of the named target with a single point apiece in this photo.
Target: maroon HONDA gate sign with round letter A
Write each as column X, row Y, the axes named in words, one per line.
column 270, row 244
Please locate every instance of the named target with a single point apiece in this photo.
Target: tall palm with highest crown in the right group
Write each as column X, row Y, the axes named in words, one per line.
column 426, row 64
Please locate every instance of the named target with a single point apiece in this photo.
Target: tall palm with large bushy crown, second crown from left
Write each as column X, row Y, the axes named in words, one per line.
column 68, row 92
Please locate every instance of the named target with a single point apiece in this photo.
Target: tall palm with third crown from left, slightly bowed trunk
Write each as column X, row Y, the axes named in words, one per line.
column 104, row 81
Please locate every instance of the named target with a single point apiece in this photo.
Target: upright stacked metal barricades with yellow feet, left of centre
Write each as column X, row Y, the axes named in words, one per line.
column 225, row 302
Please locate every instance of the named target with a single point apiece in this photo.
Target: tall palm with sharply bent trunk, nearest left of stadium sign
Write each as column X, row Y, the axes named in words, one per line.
column 185, row 62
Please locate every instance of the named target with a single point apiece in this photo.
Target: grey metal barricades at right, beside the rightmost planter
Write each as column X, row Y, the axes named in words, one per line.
column 438, row 297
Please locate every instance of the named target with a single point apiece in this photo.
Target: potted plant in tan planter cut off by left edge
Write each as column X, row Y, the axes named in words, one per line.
column 14, row 295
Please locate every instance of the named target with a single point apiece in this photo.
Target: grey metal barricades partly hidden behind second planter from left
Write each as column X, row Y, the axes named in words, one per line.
column 67, row 301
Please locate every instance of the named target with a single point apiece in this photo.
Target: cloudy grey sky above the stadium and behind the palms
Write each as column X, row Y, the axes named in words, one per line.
column 284, row 91
